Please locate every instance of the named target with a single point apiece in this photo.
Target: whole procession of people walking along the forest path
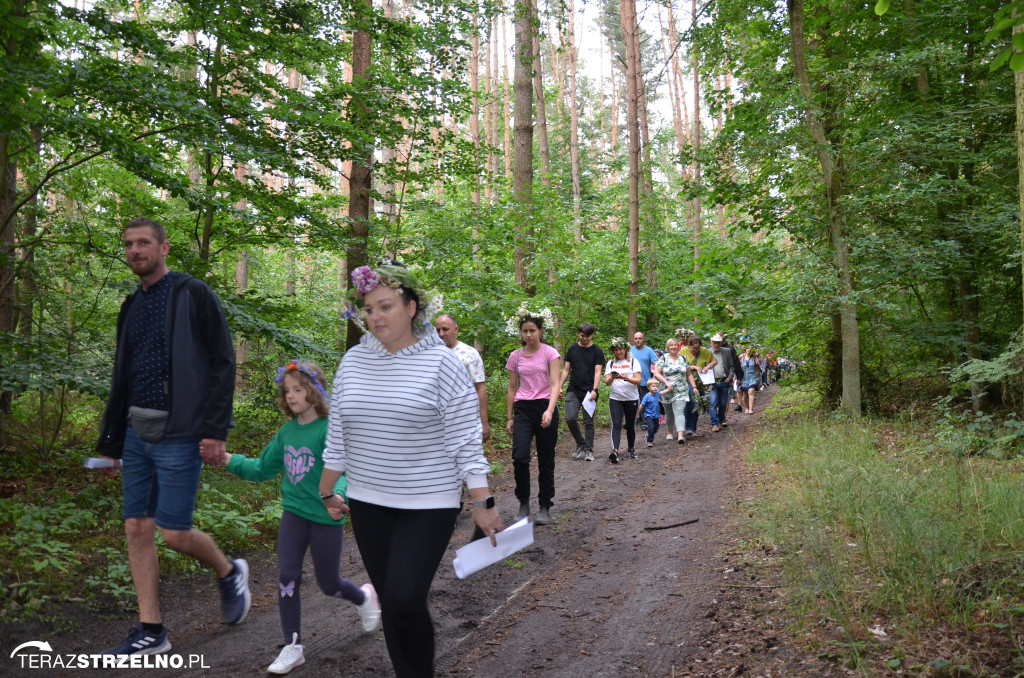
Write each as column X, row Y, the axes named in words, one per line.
column 170, row 408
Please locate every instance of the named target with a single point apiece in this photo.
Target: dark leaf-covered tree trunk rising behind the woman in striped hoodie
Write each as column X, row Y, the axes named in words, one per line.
column 362, row 178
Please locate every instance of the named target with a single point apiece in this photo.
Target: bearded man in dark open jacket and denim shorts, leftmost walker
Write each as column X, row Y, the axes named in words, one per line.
column 173, row 391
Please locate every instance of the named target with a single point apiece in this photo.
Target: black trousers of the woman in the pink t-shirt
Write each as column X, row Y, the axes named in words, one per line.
column 526, row 428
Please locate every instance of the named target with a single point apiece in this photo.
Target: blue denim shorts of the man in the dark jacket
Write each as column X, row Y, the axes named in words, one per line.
column 161, row 480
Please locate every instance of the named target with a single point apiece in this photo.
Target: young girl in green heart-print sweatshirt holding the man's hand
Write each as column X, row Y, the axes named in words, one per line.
column 296, row 453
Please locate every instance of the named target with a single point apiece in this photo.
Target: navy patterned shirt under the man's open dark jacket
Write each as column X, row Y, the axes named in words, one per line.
column 149, row 360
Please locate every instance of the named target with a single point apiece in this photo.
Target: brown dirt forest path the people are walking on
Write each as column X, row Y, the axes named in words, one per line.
column 604, row 592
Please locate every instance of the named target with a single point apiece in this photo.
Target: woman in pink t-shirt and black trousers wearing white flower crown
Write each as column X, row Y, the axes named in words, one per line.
column 533, row 413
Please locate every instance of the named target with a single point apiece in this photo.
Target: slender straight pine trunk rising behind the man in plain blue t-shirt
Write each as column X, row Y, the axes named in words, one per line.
column 629, row 15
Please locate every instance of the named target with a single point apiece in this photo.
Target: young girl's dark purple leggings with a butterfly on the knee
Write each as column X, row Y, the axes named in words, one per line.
column 294, row 536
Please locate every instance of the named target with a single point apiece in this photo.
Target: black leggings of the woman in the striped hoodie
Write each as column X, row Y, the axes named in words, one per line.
column 402, row 549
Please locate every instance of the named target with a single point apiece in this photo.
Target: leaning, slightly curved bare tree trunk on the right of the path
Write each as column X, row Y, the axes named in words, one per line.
column 837, row 217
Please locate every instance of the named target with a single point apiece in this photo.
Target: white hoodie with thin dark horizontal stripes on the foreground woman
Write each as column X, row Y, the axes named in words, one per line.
column 406, row 428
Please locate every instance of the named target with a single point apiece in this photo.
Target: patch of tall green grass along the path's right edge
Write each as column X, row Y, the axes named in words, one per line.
column 876, row 531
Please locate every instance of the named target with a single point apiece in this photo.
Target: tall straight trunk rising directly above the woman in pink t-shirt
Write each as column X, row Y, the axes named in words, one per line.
column 523, row 176
